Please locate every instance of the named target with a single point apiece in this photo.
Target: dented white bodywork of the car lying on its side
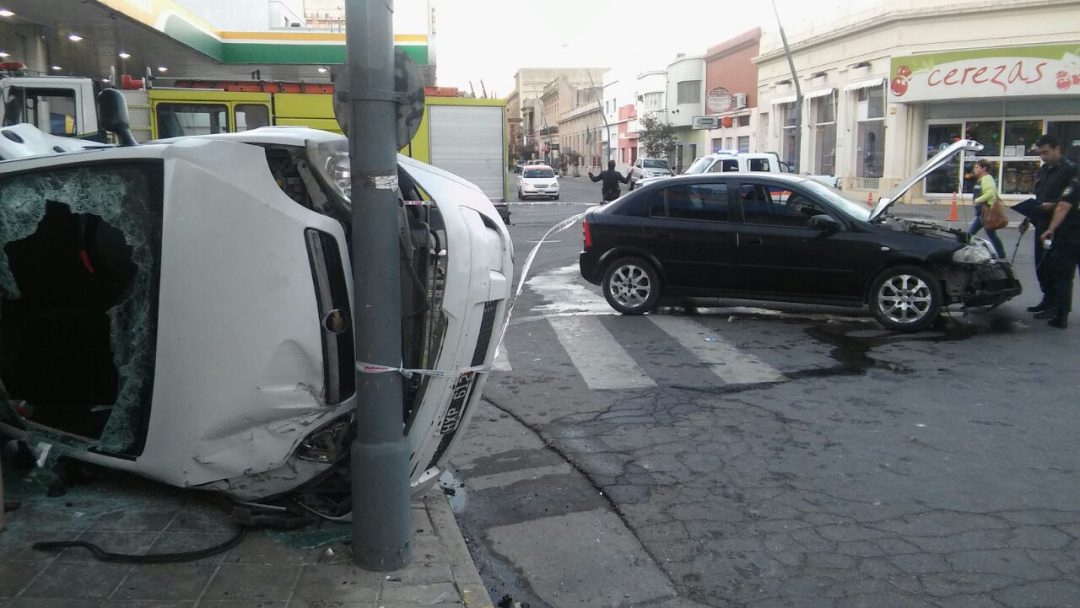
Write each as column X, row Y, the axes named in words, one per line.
column 238, row 370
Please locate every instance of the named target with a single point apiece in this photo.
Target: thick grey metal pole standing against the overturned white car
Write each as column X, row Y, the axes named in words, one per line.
column 382, row 524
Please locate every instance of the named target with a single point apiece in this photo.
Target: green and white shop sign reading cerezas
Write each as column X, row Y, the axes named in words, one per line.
column 988, row 73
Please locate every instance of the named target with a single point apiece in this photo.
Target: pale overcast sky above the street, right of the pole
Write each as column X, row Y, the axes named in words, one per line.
column 489, row 40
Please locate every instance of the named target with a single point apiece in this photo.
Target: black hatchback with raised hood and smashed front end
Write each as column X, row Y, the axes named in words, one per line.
column 785, row 238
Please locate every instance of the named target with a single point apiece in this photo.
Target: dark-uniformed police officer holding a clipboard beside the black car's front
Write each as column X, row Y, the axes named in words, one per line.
column 1055, row 177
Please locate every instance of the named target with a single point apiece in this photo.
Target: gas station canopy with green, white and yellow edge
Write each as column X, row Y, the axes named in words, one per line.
column 99, row 38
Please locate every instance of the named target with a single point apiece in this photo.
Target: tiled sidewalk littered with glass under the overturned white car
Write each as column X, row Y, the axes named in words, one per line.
column 130, row 516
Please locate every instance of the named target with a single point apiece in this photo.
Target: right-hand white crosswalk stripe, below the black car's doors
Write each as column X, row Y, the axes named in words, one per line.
column 733, row 366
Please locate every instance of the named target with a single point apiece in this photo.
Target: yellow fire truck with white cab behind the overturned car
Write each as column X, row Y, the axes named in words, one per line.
column 465, row 137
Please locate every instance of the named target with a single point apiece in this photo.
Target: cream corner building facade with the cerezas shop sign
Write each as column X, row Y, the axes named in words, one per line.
column 879, row 102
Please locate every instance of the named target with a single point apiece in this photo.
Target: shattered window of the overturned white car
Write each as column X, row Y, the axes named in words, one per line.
column 79, row 266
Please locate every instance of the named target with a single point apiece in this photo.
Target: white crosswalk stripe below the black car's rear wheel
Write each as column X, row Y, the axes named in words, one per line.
column 599, row 358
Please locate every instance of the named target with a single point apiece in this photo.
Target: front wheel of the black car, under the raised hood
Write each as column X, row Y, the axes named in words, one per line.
column 906, row 299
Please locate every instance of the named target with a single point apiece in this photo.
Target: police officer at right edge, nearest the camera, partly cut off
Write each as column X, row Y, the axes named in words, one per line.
column 1064, row 250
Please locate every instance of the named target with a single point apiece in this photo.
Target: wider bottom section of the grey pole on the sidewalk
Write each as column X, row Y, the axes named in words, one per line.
column 382, row 518
